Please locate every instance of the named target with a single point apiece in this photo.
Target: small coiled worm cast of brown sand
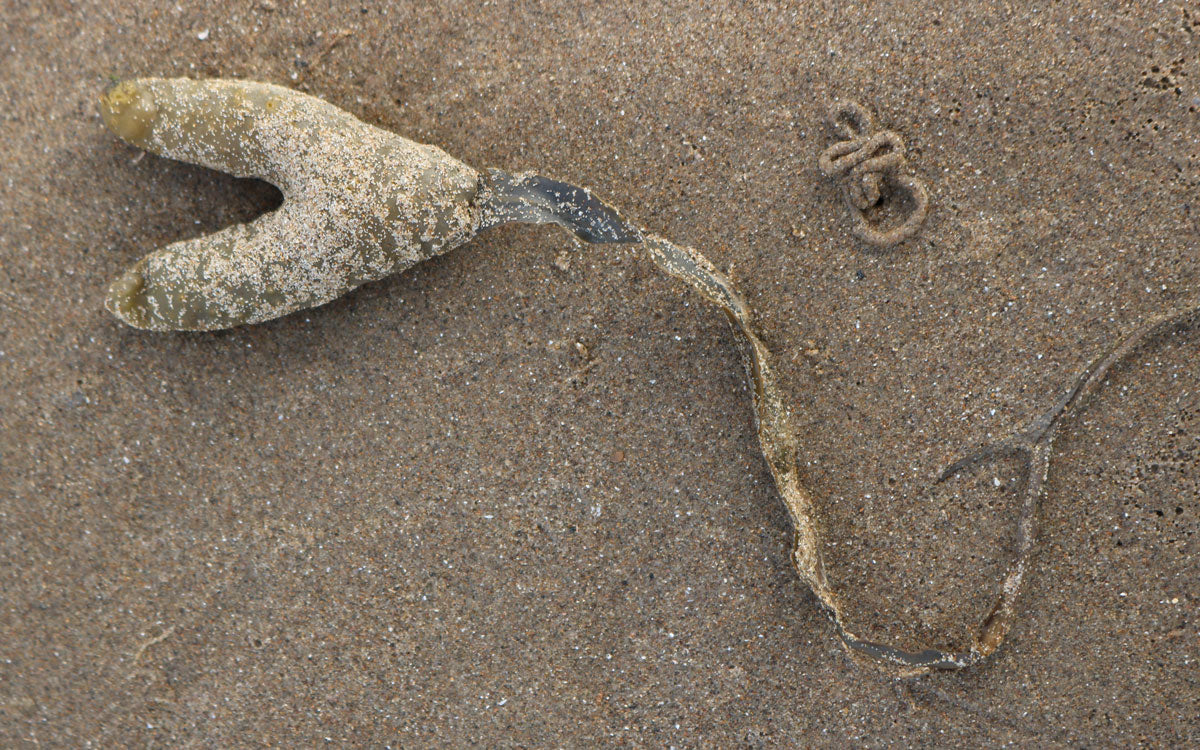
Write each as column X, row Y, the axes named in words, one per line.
column 867, row 164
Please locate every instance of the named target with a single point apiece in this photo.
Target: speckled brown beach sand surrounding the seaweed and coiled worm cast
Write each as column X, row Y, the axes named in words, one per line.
column 515, row 497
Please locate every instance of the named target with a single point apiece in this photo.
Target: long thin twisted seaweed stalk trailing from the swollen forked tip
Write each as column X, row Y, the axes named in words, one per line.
column 535, row 200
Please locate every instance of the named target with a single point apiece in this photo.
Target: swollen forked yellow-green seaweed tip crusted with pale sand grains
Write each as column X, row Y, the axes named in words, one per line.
column 359, row 203
